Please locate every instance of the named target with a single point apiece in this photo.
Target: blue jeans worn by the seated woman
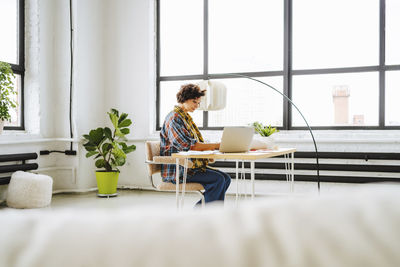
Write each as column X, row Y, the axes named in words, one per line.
column 215, row 183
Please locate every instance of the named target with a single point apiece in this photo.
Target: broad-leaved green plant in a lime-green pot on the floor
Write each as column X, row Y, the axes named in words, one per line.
column 109, row 149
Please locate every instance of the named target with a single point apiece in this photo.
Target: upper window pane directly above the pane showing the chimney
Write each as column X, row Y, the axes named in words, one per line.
column 335, row 33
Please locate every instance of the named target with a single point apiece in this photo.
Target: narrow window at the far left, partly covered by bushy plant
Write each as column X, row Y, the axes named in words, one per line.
column 12, row 52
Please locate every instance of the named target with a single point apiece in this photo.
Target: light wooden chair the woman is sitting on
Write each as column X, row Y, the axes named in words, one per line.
column 154, row 161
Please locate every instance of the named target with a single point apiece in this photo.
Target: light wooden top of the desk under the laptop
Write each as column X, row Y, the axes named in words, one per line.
column 251, row 155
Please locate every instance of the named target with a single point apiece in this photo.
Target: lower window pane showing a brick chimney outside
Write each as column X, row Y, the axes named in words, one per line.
column 336, row 99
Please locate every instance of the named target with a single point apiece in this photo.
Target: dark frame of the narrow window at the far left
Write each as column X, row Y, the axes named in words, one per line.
column 19, row 69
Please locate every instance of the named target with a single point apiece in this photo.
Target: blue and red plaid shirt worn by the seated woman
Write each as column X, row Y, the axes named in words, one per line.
column 174, row 137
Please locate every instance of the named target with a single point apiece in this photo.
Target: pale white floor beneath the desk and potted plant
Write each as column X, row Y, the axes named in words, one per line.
column 148, row 198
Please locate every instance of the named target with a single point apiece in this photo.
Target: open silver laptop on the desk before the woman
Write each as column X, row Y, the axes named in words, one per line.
column 236, row 139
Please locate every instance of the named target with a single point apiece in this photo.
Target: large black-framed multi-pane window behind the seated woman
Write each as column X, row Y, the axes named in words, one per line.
column 336, row 59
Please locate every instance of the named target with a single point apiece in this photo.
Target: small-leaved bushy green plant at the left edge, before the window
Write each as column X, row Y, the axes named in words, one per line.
column 7, row 93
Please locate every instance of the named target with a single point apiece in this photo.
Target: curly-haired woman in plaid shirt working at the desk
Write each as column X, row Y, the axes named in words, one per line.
column 180, row 133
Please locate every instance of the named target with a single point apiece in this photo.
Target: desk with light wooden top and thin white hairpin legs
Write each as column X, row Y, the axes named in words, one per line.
column 251, row 156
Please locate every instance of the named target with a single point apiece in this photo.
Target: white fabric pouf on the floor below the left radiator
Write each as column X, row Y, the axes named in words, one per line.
column 28, row 190
